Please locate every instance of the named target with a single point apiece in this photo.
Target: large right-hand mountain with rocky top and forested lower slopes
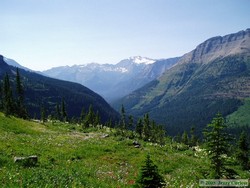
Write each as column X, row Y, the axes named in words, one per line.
column 214, row 77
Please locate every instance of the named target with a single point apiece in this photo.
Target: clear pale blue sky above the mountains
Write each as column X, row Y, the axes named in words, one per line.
column 41, row 34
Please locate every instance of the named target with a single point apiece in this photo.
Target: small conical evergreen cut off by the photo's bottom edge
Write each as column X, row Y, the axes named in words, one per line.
column 149, row 176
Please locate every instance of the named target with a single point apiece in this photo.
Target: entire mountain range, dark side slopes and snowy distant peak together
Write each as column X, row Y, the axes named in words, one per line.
column 178, row 93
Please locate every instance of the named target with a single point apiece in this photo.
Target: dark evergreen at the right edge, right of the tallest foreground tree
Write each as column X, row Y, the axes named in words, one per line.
column 242, row 153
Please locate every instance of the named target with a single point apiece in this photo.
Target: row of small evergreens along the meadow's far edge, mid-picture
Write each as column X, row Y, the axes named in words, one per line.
column 143, row 128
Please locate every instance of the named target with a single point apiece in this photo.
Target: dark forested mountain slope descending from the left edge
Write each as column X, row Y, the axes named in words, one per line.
column 41, row 91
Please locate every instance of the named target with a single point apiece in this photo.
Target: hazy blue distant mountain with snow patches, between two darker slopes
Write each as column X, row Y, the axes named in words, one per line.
column 114, row 81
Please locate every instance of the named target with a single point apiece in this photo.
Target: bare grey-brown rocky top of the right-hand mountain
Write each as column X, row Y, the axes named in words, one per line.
column 219, row 47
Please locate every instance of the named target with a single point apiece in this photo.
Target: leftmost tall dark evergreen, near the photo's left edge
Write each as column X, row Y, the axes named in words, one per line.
column 8, row 102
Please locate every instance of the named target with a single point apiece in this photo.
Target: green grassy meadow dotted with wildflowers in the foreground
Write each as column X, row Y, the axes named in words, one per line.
column 71, row 157
